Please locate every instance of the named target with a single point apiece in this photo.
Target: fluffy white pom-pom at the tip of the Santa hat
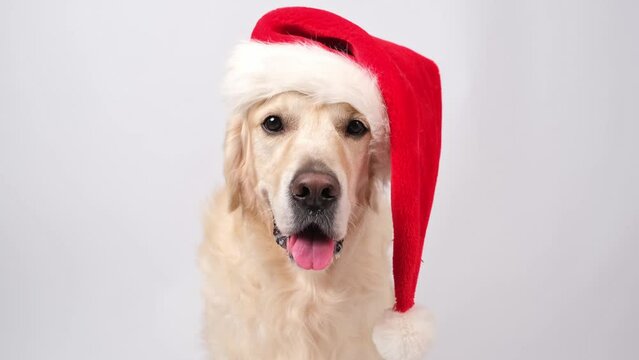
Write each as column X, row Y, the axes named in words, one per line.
column 404, row 336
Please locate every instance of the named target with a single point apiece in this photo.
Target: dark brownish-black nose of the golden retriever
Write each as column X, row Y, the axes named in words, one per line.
column 315, row 190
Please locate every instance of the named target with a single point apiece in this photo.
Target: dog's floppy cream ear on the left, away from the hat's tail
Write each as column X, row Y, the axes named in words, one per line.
column 238, row 171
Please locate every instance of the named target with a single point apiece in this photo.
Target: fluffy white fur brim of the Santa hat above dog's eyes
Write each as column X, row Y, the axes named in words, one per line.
column 258, row 71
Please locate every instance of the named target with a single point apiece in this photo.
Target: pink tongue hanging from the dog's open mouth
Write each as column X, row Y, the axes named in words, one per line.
column 309, row 253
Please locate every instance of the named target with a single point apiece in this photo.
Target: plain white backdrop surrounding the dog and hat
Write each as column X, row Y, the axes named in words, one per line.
column 111, row 129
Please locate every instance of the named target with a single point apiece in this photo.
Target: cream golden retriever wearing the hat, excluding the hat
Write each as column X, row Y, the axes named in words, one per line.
column 296, row 257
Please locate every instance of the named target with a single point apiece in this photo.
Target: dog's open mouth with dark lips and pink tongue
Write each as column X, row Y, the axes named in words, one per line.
column 311, row 248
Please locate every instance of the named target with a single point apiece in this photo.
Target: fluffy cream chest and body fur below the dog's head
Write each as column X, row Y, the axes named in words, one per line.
column 258, row 305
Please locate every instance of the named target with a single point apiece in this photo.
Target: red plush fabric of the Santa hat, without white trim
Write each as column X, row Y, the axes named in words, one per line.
column 410, row 86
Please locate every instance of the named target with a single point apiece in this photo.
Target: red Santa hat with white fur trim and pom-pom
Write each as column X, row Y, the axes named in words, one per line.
column 333, row 60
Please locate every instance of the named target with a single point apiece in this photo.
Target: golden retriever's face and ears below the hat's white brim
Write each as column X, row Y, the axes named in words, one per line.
column 306, row 166
